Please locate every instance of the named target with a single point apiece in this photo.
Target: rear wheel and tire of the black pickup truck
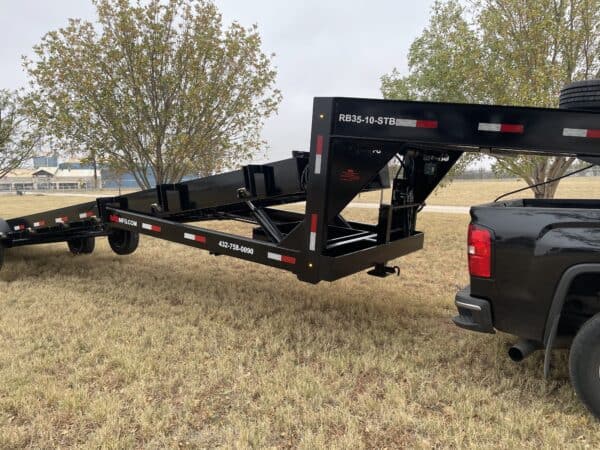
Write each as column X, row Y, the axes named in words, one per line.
column 584, row 364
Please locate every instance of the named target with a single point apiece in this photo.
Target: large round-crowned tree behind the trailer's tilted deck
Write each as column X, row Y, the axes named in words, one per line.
column 156, row 87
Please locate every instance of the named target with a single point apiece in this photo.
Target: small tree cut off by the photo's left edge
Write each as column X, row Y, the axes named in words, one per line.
column 17, row 139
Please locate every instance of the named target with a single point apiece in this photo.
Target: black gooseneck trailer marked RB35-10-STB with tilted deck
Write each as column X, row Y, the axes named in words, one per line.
column 352, row 141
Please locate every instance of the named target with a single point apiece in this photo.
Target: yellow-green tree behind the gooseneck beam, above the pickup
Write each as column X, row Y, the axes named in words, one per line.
column 506, row 52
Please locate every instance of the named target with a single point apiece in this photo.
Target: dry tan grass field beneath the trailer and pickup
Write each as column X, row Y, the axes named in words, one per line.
column 171, row 347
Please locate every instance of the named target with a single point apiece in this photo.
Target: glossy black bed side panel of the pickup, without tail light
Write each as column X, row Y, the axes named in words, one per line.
column 534, row 241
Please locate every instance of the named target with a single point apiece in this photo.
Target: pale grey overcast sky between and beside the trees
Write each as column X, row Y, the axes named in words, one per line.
column 322, row 47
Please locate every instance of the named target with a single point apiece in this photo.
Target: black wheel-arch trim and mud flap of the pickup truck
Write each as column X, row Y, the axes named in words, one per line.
column 558, row 301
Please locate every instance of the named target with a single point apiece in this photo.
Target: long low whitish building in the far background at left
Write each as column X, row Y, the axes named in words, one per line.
column 66, row 176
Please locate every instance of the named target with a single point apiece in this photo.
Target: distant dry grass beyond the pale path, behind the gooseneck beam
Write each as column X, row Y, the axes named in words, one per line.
column 476, row 192
